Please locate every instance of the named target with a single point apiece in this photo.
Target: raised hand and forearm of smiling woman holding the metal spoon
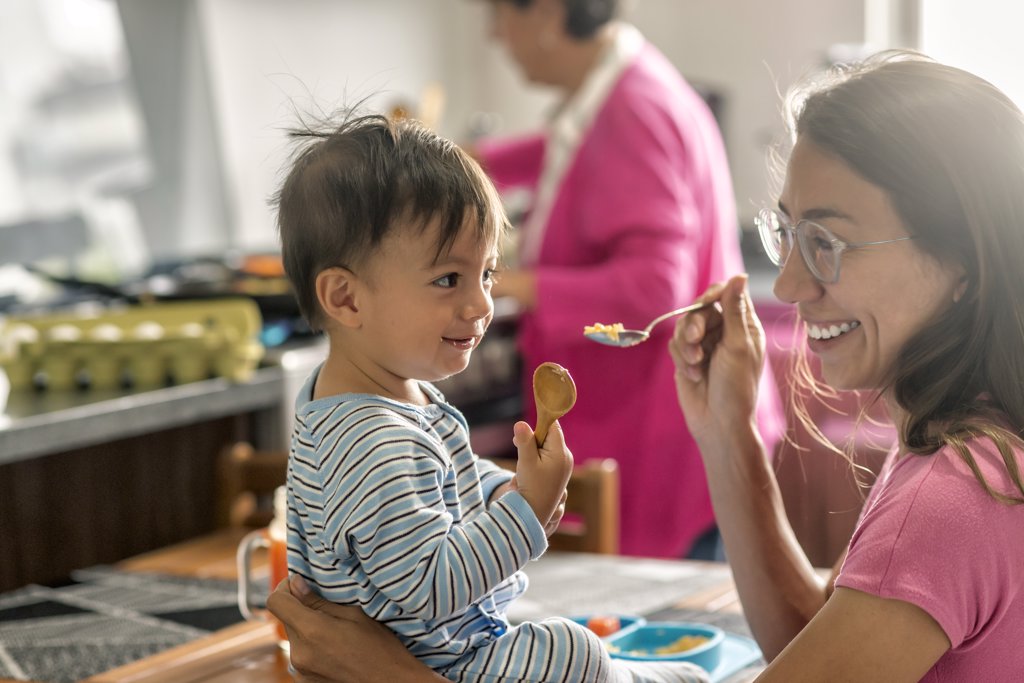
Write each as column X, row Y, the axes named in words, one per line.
column 719, row 357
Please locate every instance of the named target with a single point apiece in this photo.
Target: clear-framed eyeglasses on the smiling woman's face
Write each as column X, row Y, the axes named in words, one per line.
column 822, row 250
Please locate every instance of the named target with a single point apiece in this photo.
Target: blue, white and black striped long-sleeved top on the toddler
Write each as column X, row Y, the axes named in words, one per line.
column 389, row 510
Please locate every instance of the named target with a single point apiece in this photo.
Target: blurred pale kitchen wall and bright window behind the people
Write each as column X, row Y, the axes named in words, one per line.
column 158, row 124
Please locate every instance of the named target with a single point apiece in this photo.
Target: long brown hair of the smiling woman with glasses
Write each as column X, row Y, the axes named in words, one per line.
column 949, row 150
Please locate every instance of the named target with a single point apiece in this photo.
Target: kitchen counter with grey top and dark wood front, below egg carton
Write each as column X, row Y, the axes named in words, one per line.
column 92, row 478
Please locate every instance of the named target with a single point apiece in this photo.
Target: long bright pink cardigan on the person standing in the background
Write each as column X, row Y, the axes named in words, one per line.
column 644, row 222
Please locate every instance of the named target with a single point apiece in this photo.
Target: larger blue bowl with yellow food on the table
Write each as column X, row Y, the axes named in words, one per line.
column 643, row 643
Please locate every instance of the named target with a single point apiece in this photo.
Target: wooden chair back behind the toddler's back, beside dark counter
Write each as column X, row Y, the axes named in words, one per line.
column 247, row 480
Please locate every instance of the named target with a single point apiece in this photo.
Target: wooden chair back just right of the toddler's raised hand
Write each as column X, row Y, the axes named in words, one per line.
column 591, row 522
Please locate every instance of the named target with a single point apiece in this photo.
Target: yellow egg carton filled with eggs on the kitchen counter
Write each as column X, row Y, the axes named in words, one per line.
column 146, row 347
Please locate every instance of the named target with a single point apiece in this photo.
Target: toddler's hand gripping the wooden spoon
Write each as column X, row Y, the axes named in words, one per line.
column 542, row 474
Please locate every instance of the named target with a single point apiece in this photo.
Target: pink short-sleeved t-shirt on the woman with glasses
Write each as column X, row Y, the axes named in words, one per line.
column 931, row 536
